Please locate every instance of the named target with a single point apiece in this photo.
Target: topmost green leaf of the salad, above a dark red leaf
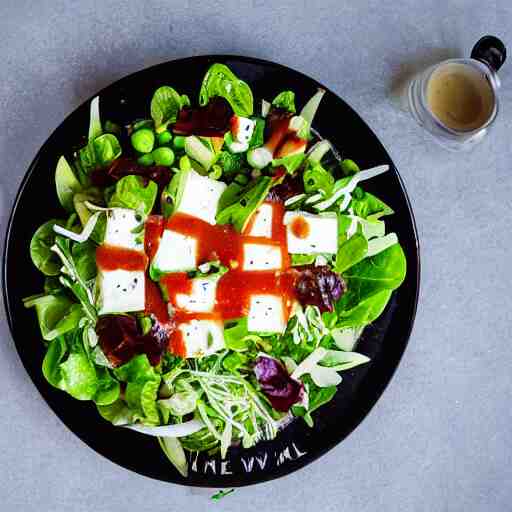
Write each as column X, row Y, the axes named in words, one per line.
column 221, row 81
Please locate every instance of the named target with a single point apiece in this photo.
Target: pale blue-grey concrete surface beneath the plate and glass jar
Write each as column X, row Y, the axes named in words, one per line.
column 439, row 439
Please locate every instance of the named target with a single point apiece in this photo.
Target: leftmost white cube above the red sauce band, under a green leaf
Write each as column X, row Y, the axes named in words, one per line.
column 124, row 228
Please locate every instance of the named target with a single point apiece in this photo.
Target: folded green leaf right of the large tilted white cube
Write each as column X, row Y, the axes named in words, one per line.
column 237, row 206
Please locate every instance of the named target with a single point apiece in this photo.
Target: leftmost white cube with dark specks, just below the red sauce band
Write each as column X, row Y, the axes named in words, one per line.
column 121, row 291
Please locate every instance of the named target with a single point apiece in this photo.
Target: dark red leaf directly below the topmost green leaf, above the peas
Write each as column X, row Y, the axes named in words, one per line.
column 212, row 120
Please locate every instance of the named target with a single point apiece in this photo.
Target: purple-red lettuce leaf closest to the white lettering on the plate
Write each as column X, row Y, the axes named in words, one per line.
column 275, row 383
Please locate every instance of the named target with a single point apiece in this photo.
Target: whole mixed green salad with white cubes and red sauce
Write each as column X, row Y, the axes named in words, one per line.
column 213, row 268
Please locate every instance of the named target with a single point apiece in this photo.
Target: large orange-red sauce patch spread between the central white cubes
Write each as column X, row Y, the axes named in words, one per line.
column 234, row 288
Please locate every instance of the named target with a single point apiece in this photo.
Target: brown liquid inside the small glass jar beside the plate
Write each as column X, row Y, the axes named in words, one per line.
column 460, row 97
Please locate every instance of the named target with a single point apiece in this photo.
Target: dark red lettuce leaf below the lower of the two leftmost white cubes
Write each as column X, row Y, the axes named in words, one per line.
column 120, row 339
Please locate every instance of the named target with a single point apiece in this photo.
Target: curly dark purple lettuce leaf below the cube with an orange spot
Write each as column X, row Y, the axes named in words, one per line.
column 318, row 286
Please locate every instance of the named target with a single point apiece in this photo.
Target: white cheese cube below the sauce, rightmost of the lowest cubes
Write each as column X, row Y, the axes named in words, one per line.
column 266, row 314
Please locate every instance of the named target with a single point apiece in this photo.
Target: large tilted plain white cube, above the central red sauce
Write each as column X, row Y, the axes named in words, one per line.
column 200, row 197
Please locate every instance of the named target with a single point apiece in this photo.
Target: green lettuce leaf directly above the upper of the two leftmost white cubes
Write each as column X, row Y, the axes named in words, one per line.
column 135, row 193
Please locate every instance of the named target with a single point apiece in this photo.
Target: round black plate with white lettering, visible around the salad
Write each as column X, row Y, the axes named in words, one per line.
column 384, row 341
